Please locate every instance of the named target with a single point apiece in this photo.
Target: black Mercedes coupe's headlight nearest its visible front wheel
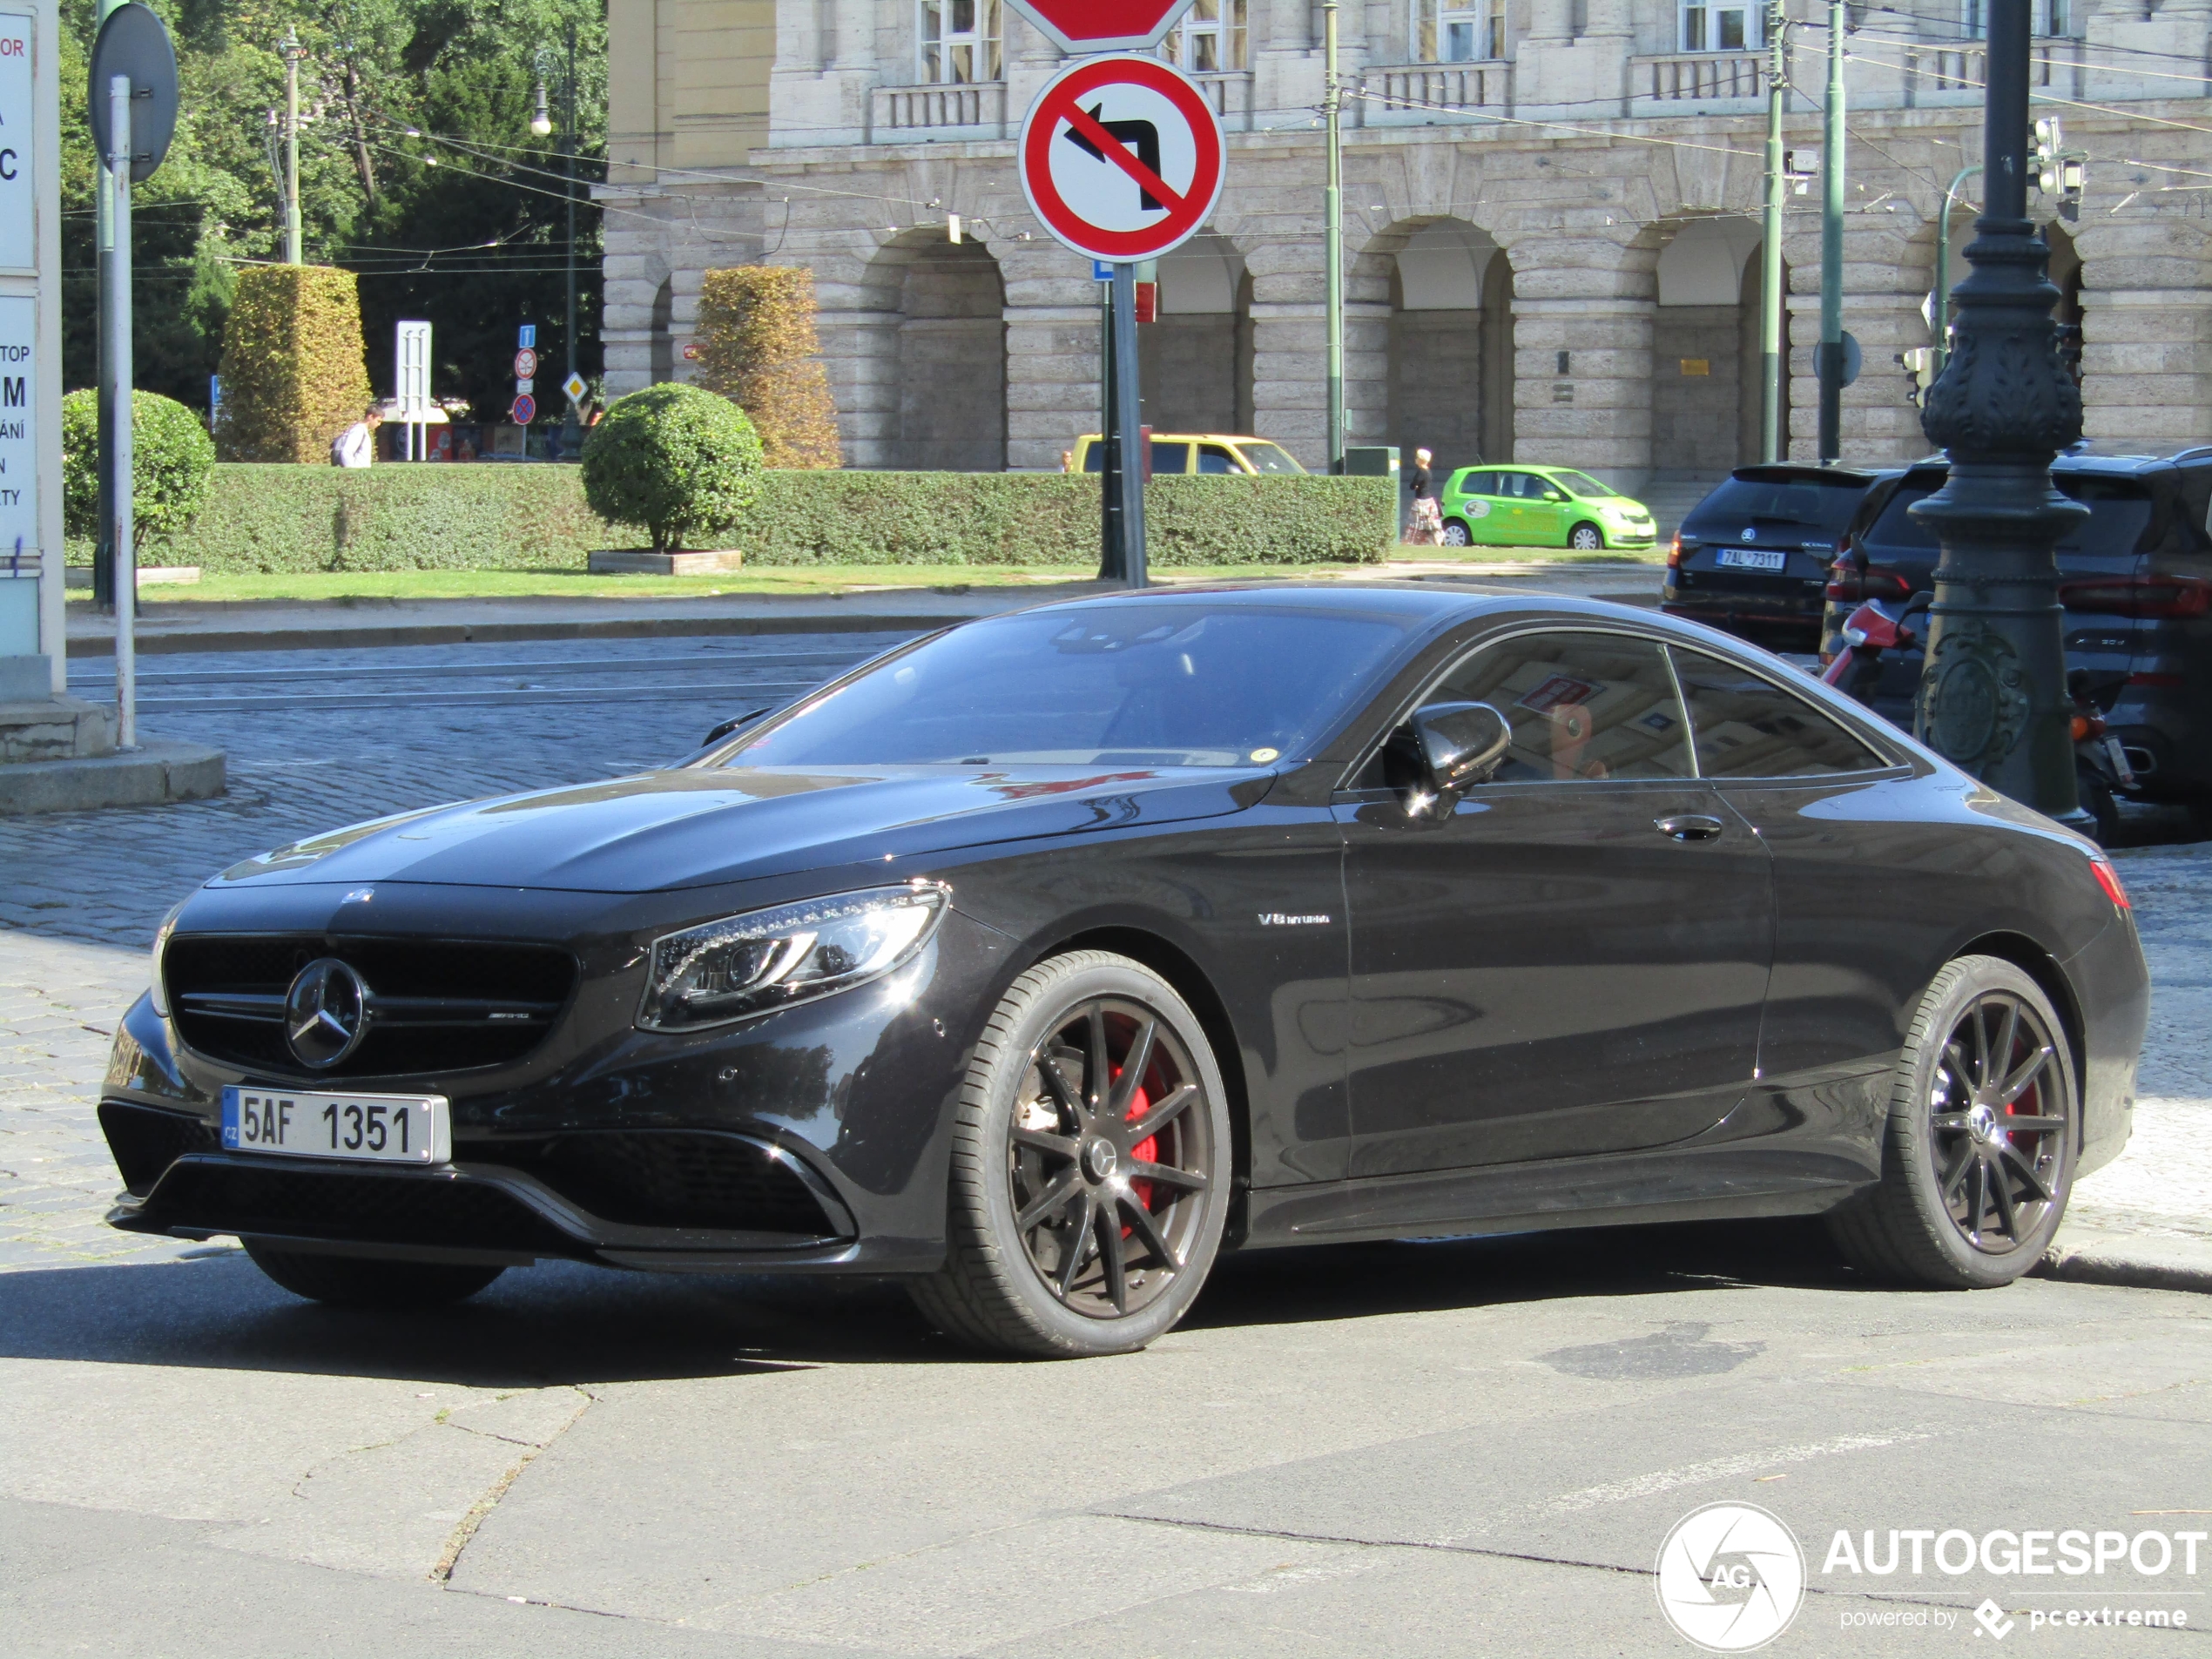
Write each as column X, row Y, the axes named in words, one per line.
column 773, row 959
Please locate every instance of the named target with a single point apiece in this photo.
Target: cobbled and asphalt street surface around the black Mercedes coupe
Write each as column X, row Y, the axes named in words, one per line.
column 1404, row 1450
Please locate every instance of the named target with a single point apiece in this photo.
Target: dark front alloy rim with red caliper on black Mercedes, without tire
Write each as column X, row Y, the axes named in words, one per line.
column 1107, row 1158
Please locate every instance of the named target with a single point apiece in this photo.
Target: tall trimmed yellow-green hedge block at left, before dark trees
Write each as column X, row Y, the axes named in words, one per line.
column 295, row 373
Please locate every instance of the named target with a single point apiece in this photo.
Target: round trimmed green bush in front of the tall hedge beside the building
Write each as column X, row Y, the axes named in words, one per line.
column 674, row 461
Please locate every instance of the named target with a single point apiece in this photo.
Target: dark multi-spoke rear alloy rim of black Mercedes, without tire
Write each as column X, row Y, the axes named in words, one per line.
column 1999, row 1118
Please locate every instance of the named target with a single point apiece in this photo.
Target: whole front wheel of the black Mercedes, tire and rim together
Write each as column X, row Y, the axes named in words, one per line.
column 1109, row 1260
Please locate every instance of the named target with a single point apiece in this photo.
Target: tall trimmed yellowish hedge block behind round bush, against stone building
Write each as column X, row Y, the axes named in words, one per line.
column 758, row 346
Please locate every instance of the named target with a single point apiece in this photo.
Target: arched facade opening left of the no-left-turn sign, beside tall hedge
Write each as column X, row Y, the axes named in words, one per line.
column 932, row 386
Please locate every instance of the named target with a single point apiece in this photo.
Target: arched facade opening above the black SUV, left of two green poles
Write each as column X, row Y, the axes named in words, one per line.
column 1707, row 351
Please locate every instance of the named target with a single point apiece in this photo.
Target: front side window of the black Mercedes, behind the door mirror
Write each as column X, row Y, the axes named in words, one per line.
column 1580, row 707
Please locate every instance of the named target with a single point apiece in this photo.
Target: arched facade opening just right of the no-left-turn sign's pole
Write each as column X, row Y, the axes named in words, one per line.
column 1196, row 359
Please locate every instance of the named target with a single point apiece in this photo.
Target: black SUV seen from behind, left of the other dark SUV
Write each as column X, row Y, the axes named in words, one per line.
column 1753, row 556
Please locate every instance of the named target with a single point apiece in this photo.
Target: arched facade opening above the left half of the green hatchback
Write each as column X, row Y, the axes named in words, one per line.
column 1443, row 291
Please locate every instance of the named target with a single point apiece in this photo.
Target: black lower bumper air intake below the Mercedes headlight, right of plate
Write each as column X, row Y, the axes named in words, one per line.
column 671, row 1180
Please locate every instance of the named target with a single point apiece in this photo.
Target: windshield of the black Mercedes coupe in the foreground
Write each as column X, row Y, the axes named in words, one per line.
column 1129, row 682
